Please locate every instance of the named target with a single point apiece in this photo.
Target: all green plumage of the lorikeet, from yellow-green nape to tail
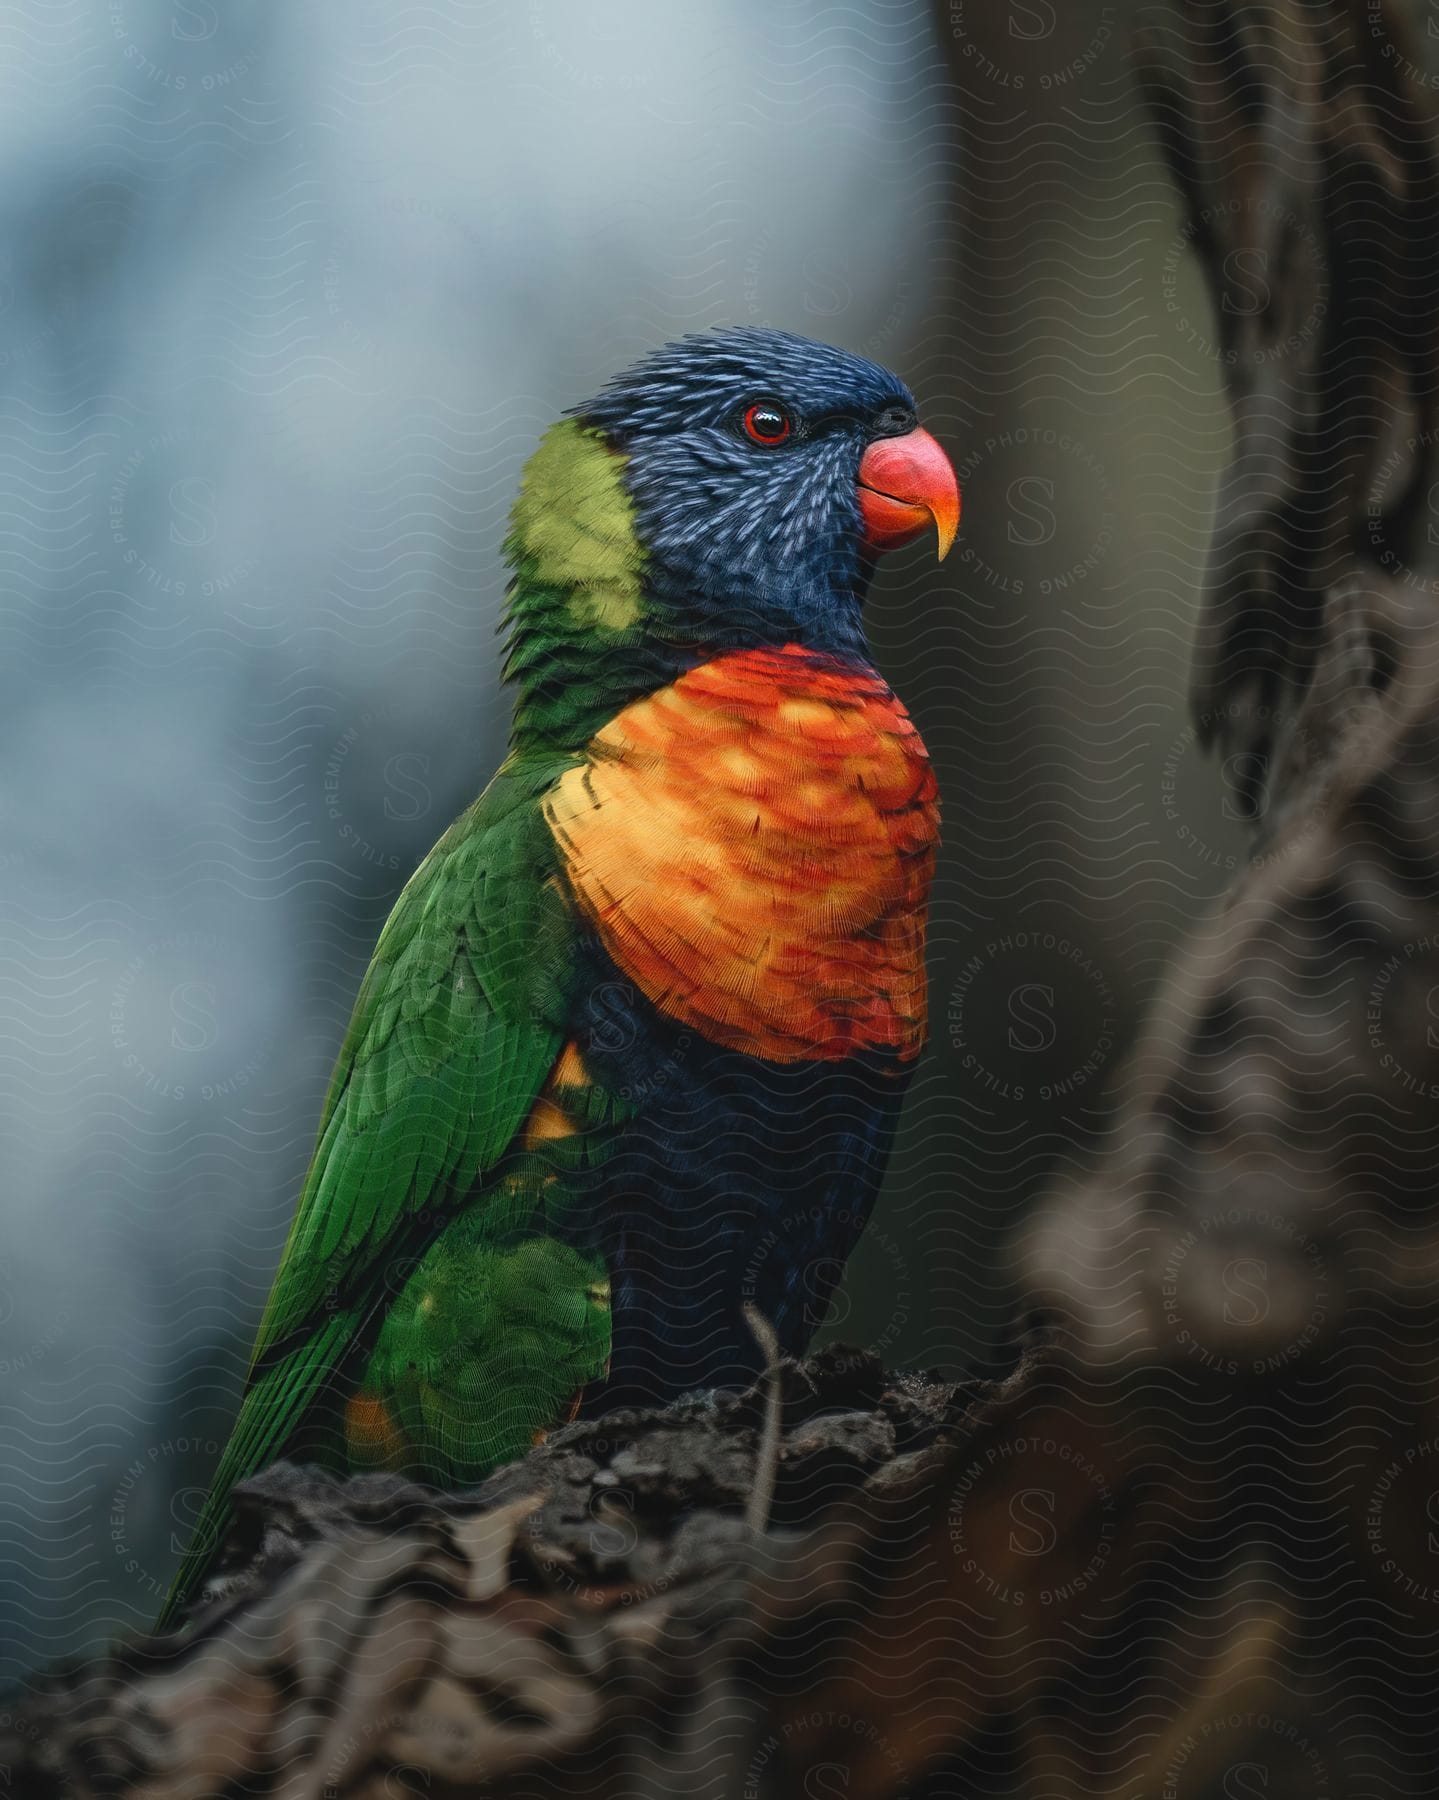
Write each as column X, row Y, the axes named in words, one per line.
column 457, row 1029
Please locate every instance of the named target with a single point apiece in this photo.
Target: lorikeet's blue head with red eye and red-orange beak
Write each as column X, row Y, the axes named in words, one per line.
column 766, row 471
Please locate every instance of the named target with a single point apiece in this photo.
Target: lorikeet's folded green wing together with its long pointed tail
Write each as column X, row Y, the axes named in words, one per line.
column 458, row 1025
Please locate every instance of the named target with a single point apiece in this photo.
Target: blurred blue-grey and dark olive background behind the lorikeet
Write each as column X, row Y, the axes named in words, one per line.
column 287, row 294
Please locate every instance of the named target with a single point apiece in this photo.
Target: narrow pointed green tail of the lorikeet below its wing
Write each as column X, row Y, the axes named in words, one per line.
column 273, row 1410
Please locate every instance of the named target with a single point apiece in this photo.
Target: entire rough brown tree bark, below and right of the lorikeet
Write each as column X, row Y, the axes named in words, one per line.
column 1188, row 1547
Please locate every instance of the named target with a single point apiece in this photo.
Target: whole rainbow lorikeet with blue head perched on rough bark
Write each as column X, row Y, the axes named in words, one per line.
column 635, row 1038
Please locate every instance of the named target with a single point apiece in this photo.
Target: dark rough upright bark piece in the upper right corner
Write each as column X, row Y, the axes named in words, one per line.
column 1303, row 139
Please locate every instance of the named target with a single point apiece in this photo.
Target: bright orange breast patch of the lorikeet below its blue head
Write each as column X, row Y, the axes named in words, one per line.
column 756, row 847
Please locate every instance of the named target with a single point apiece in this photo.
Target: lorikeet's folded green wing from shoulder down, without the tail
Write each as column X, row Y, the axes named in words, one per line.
column 428, row 1101
